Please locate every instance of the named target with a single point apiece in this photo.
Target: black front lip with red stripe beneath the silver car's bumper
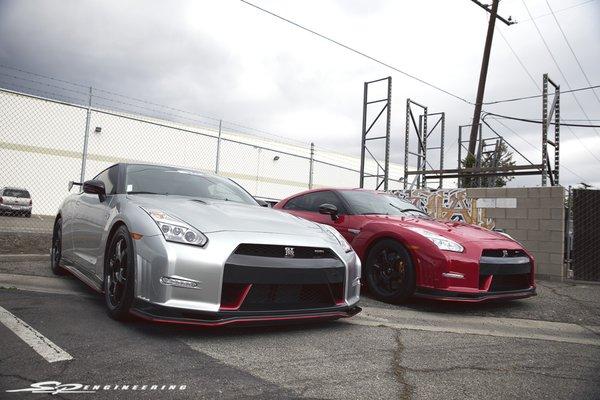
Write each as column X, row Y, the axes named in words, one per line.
column 154, row 313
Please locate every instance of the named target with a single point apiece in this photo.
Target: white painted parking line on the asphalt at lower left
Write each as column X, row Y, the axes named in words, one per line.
column 41, row 344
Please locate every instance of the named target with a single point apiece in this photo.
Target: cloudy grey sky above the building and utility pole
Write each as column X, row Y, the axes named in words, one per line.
column 226, row 59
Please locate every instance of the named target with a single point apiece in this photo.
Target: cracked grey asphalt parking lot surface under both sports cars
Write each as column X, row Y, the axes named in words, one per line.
column 544, row 347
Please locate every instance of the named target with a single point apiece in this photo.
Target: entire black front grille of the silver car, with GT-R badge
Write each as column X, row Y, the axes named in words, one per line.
column 260, row 277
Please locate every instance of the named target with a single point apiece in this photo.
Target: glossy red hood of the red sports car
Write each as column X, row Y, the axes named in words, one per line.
column 458, row 231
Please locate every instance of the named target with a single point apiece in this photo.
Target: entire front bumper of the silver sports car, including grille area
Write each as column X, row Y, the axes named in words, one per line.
column 233, row 288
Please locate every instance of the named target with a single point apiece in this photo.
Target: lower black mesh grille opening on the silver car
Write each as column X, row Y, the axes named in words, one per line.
column 287, row 297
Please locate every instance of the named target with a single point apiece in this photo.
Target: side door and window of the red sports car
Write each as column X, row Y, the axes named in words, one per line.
column 307, row 206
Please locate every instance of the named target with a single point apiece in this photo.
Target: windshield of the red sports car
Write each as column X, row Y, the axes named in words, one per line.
column 365, row 203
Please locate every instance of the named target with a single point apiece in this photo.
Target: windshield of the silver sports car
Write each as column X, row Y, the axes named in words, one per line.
column 151, row 179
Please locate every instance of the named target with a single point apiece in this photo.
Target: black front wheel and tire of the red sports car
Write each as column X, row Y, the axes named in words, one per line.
column 390, row 273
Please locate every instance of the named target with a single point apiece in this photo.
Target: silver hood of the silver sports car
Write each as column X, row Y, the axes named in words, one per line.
column 209, row 215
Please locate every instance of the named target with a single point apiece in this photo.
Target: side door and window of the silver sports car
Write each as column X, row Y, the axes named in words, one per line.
column 90, row 220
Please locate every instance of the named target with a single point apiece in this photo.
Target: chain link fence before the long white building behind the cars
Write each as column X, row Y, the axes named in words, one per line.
column 45, row 143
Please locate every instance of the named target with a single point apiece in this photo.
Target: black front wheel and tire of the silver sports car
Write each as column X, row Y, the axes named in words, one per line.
column 119, row 275
